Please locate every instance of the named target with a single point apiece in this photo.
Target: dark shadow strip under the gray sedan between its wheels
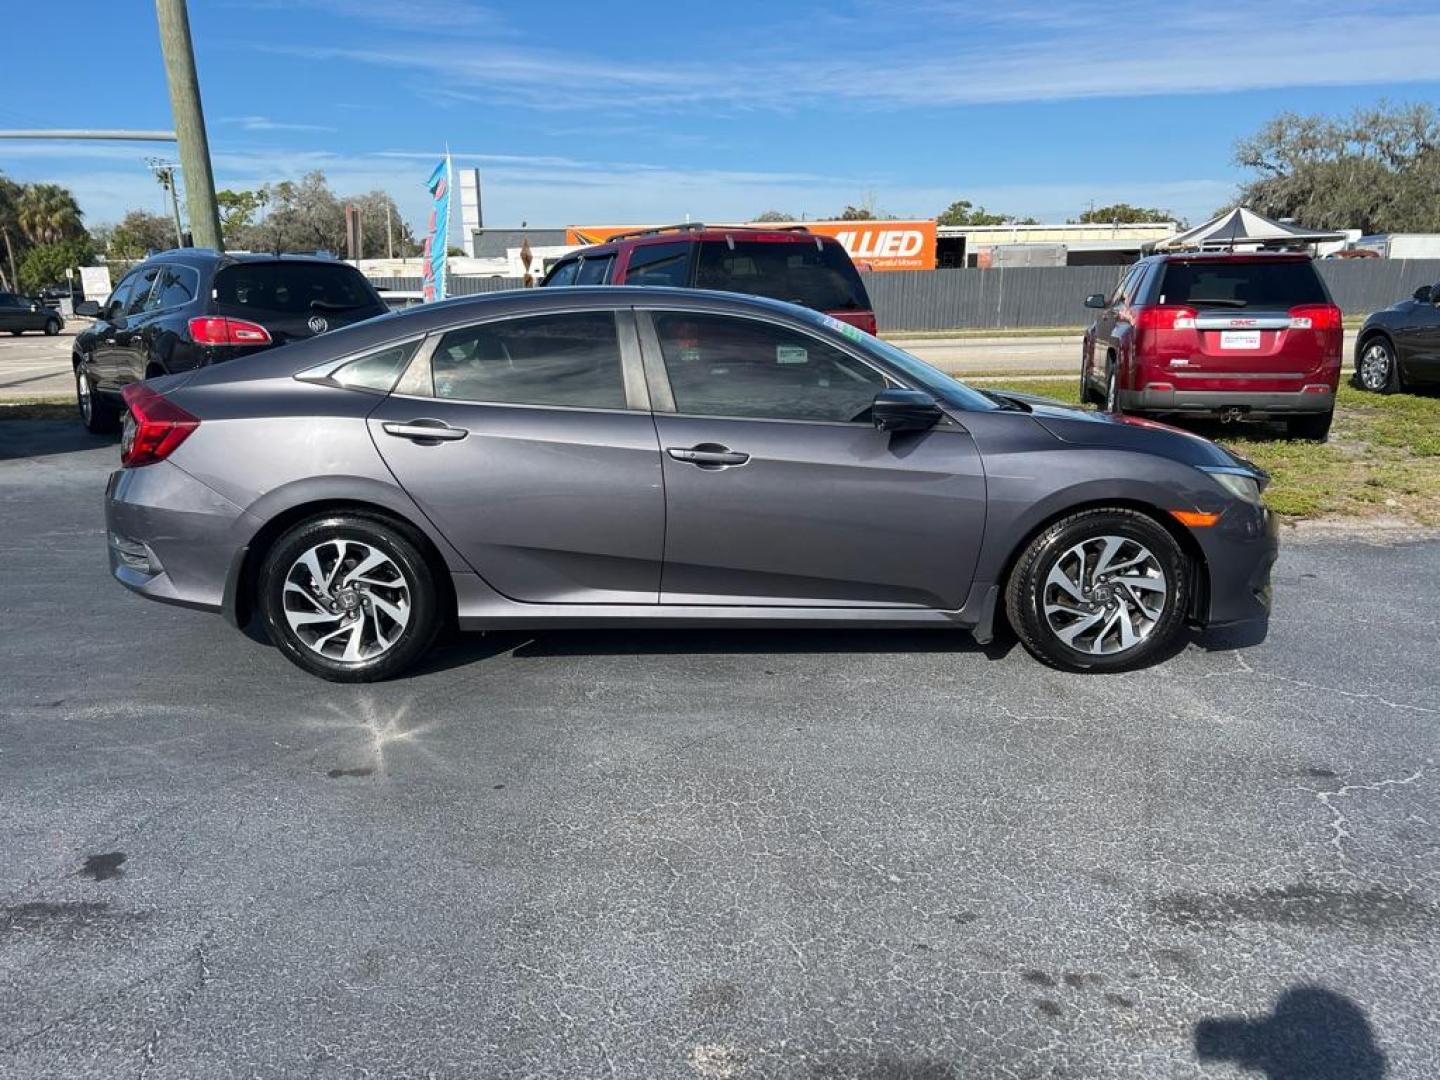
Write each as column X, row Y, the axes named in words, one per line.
column 464, row 649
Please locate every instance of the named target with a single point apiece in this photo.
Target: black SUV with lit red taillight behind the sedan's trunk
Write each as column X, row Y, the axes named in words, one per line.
column 192, row 307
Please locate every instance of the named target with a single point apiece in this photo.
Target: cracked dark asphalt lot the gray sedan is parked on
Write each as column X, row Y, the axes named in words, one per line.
column 703, row 855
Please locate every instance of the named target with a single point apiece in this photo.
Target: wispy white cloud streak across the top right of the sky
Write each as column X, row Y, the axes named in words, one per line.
column 927, row 55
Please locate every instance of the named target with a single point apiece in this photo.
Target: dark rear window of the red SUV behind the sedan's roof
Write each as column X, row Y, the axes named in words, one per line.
column 820, row 279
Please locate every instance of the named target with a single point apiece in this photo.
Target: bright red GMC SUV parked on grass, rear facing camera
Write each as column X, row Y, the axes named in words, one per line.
column 1228, row 336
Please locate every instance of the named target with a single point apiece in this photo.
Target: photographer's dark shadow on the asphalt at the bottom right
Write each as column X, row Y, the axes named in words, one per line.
column 1314, row 1035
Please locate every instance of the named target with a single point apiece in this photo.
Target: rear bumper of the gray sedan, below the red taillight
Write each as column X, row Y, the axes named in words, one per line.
column 172, row 539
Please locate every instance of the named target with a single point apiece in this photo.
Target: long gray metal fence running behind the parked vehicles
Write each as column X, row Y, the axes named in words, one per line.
column 1040, row 296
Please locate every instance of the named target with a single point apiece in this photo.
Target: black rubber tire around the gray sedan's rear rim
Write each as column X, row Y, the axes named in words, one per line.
column 421, row 598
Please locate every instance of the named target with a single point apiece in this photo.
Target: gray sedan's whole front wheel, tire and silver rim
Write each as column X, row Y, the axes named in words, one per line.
column 1099, row 591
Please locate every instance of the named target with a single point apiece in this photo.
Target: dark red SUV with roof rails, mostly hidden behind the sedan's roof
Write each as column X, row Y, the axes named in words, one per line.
column 790, row 264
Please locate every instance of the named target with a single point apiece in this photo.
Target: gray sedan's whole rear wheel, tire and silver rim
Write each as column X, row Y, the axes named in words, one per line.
column 349, row 598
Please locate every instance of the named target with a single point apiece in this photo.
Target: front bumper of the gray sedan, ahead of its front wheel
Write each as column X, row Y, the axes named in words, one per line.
column 1241, row 554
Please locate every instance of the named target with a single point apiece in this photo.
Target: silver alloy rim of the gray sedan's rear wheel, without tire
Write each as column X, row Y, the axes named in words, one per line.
column 348, row 601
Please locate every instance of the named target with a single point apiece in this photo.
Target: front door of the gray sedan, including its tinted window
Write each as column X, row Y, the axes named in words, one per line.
column 780, row 492
